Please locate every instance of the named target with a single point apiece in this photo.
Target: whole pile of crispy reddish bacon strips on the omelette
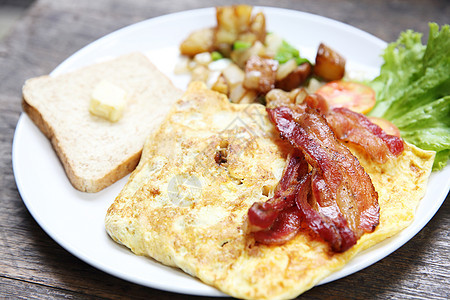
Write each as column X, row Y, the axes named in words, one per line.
column 336, row 199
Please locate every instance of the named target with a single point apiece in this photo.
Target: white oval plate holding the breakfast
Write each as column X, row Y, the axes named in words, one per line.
column 75, row 219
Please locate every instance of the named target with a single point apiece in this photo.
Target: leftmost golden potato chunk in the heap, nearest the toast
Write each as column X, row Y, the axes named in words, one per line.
column 197, row 42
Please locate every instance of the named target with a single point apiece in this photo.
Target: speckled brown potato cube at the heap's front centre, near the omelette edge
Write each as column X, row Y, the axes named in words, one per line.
column 260, row 74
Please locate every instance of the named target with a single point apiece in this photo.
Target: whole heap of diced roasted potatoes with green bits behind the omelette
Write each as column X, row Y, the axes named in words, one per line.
column 244, row 61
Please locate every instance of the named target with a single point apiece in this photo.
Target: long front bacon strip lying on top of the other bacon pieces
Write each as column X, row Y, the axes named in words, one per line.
column 343, row 194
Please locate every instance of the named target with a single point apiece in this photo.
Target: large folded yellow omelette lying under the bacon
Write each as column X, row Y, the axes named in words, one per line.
column 186, row 203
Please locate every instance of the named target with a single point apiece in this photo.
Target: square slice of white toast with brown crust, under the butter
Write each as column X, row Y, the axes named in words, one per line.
column 96, row 152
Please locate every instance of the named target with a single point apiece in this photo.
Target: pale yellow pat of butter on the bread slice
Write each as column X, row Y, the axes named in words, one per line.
column 108, row 101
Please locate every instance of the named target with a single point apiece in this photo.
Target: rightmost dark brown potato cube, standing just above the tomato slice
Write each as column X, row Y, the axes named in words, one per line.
column 329, row 64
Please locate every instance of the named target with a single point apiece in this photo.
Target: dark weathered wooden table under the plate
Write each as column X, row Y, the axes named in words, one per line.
column 32, row 265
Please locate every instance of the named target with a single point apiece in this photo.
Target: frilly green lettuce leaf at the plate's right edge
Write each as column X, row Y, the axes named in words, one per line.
column 413, row 90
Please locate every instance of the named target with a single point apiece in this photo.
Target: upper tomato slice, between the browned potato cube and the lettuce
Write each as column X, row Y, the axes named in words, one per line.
column 352, row 95
